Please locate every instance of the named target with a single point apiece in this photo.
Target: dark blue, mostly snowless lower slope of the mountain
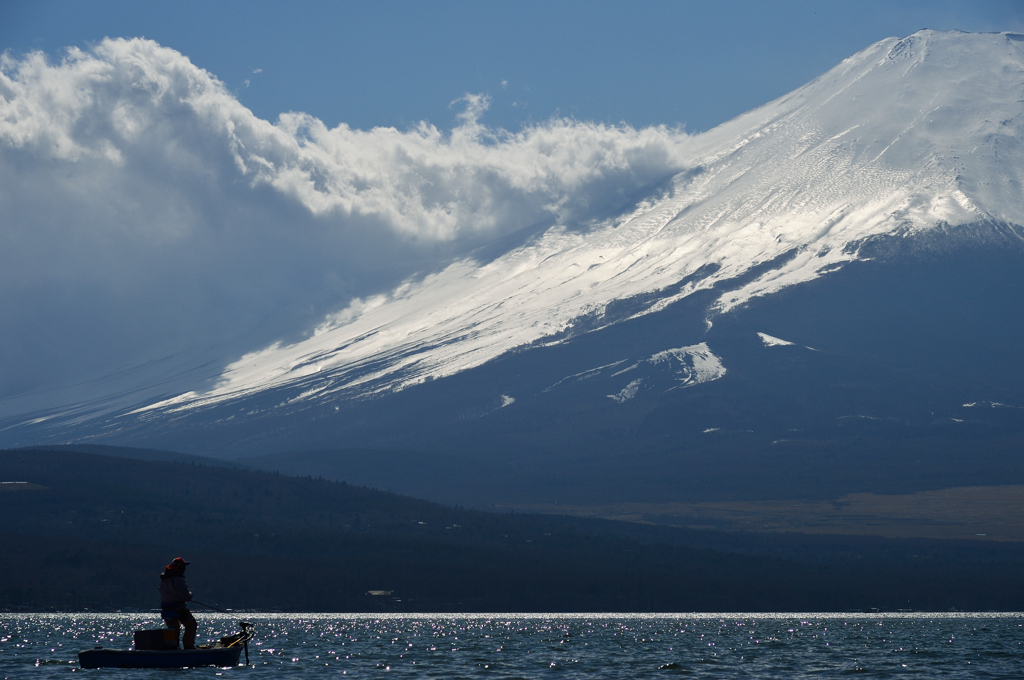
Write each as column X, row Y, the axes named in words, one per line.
column 901, row 347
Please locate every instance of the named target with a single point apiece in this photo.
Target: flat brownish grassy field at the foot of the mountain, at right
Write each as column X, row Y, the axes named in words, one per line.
column 984, row 514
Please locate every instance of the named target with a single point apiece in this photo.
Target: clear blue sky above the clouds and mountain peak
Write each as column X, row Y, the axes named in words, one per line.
column 395, row 64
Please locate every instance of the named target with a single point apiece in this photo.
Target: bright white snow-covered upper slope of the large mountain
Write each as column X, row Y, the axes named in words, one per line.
column 901, row 139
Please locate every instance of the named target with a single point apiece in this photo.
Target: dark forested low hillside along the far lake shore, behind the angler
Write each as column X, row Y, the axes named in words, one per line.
column 94, row 532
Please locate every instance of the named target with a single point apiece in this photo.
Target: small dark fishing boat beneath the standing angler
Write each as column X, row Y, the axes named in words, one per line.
column 222, row 654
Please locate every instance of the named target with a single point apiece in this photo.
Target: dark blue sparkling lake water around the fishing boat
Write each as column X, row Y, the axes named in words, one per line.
column 734, row 646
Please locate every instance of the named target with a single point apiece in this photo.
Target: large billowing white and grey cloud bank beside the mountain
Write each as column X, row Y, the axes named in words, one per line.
column 148, row 218
